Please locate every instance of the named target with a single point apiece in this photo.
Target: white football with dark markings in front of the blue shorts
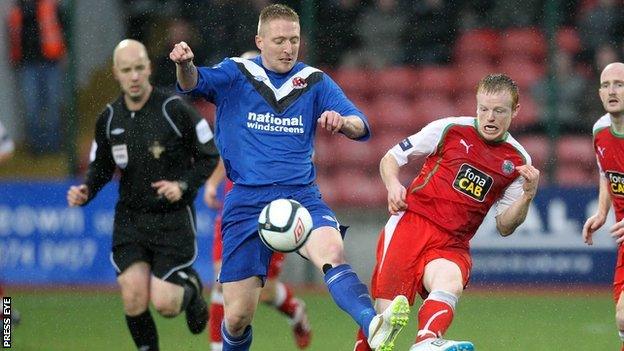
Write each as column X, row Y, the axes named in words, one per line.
column 284, row 225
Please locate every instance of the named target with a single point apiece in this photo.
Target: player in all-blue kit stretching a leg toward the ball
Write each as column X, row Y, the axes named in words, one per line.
column 268, row 110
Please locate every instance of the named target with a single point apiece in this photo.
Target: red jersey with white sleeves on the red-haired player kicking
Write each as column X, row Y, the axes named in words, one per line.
column 463, row 175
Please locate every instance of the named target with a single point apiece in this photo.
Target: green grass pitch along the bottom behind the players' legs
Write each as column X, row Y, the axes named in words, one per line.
column 512, row 321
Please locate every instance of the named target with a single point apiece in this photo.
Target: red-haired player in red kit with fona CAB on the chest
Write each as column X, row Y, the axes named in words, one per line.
column 470, row 165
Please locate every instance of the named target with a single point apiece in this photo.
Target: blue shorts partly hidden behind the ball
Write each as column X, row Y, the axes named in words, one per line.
column 244, row 254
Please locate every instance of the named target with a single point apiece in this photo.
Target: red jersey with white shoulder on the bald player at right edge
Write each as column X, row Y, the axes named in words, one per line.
column 609, row 148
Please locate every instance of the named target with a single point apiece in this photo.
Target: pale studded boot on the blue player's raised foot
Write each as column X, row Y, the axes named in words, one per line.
column 385, row 326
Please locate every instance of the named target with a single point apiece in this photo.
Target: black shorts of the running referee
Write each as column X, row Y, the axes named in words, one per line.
column 166, row 241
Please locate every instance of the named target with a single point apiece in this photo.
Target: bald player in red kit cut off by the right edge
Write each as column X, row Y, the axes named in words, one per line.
column 609, row 147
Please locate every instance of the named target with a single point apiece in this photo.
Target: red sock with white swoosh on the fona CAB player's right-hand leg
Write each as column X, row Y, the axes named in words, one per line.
column 434, row 318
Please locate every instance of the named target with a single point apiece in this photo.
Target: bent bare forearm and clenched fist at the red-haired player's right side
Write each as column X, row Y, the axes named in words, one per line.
column 516, row 213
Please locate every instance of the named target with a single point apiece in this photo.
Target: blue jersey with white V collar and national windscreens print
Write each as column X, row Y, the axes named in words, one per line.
column 266, row 121
